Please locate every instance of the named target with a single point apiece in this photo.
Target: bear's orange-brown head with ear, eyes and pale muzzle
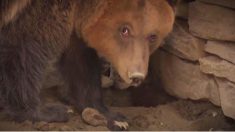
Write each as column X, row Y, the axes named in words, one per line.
column 127, row 32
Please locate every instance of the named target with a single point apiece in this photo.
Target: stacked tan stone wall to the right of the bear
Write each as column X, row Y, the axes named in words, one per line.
column 198, row 59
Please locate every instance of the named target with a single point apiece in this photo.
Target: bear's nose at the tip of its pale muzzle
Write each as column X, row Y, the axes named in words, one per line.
column 136, row 78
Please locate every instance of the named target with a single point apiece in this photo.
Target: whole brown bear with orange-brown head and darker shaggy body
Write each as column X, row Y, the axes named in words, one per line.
column 76, row 33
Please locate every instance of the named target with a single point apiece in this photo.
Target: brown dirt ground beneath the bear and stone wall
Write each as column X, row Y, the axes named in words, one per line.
column 153, row 110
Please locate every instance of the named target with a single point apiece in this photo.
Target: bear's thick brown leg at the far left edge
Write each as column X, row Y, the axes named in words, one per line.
column 21, row 67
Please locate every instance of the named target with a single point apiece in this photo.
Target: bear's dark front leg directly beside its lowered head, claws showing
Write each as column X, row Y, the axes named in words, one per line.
column 81, row 68
